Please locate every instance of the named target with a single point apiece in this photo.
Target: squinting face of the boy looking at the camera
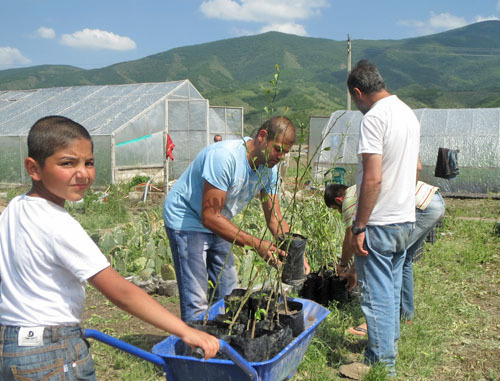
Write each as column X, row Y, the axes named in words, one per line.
column 67, row 174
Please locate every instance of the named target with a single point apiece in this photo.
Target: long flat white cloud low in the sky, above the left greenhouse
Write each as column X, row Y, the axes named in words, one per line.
column 97, row 39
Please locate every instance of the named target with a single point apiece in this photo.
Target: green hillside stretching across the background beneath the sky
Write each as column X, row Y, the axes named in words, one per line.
column 458, row 68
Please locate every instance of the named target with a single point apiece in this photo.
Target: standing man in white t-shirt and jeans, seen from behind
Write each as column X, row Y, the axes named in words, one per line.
column 388, row 144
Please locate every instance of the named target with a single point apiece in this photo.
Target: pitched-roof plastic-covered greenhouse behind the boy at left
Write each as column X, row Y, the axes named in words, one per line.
column 128, row 123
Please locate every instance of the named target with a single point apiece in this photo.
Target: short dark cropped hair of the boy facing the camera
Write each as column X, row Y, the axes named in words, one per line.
column 52, row 133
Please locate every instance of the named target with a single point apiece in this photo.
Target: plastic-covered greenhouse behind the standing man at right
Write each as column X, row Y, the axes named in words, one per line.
column 474, row 132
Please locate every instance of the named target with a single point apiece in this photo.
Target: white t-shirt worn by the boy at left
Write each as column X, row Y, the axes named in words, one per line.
column 45, row 259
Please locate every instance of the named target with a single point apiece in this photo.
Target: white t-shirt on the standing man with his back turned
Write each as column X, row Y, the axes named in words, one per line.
column 391, row 129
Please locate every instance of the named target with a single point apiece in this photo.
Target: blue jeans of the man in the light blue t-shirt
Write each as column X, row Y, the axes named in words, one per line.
column 198, row 258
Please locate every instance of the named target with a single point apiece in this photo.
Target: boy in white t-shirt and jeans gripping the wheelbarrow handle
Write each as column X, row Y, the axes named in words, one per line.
column 46, row 258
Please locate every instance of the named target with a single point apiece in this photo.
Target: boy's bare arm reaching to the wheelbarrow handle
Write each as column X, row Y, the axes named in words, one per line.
column 137, row 302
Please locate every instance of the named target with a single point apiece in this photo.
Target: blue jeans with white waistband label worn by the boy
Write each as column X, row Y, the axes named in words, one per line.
column 64, row 355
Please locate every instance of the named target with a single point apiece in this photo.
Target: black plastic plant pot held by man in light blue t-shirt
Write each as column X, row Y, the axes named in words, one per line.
column 293, row 269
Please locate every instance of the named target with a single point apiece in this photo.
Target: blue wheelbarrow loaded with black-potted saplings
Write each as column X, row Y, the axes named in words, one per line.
column 183, row 368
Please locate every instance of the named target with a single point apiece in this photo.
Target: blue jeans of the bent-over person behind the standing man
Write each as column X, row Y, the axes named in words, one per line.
column 425, row 220
